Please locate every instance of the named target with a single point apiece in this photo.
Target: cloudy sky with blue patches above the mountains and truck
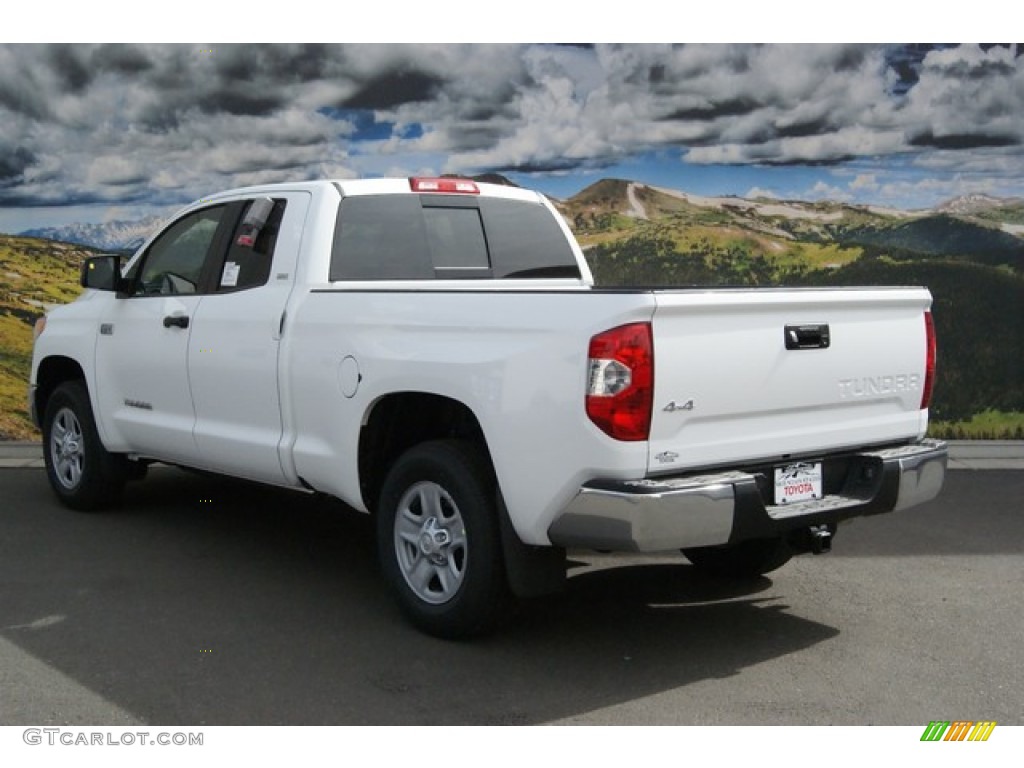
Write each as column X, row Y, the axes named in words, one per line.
column 98, row 133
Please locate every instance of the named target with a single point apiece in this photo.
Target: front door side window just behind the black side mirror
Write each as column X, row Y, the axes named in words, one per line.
column 175, row 263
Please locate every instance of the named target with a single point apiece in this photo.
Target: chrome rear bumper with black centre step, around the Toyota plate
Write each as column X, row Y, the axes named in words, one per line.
column 661, row 515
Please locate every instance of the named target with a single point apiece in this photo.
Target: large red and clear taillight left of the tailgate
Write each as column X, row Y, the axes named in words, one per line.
column 621, row 381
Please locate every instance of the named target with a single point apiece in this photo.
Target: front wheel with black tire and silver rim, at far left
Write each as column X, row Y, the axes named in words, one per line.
column 83, row 475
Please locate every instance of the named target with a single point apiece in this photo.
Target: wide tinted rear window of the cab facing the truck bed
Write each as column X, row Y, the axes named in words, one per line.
column 424, row 237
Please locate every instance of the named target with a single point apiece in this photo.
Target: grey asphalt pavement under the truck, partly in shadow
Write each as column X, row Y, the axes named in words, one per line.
column 208, row 602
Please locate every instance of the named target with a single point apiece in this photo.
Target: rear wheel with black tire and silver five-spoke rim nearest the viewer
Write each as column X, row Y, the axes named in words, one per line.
column 439, row 540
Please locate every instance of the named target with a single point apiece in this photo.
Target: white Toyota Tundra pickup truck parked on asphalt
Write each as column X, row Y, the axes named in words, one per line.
column 434, row 352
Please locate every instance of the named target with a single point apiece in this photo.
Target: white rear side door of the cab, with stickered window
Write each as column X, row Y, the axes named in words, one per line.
column 236, row 339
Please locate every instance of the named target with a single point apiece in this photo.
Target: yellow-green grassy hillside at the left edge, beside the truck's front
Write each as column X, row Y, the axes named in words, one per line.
column 34, row 275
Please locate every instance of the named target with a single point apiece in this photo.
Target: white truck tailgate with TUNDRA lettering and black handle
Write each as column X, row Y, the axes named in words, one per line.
column 744, row 375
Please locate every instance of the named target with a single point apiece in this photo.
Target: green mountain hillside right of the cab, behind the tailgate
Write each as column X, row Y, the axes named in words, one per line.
column 974, row 270
